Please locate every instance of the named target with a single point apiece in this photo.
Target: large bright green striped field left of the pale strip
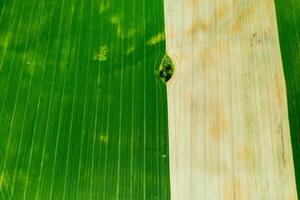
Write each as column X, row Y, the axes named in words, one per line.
column 83, row 114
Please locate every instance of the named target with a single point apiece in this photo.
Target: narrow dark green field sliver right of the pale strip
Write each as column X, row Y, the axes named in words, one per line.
column 288, row 18
